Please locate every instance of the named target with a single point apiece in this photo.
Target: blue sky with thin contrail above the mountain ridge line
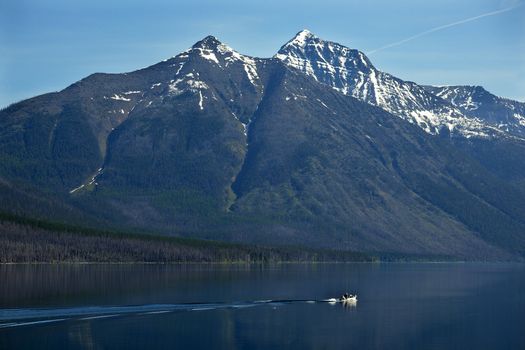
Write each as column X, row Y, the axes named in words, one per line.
column 47, row 45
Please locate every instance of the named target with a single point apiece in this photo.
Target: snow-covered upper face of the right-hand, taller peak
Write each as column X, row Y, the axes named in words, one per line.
column 352, row 73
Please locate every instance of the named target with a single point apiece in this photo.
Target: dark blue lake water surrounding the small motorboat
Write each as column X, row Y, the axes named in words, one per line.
column 400, row 306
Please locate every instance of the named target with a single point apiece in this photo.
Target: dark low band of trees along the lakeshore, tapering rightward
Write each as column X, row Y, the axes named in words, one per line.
column 28, row 241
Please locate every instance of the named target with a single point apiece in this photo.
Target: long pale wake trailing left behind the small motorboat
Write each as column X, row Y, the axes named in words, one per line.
column 10, row 318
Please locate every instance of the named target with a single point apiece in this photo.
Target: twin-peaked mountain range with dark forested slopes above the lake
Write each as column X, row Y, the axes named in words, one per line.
column 314, row 147
